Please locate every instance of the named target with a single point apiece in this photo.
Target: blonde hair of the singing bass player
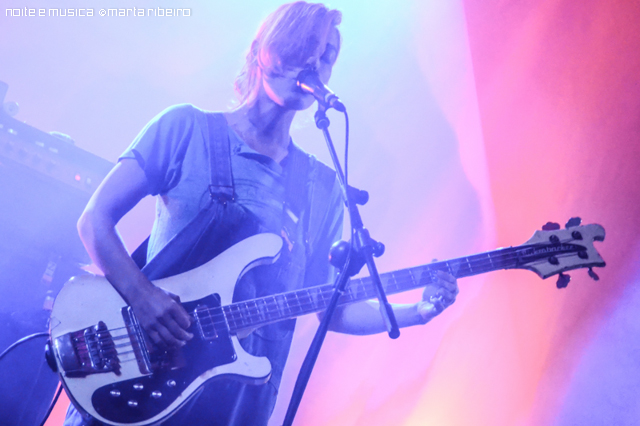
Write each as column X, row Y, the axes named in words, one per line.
column 289, row 36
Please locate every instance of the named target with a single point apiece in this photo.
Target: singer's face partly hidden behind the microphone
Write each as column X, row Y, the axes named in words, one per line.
column 282, row 88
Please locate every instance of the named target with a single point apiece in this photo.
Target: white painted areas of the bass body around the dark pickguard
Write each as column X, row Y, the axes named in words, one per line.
column 86, row 300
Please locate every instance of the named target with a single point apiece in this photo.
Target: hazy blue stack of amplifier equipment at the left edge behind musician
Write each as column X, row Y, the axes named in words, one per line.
column 45, row 182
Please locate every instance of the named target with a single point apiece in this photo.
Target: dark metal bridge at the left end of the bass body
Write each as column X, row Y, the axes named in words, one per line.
column 87, row 351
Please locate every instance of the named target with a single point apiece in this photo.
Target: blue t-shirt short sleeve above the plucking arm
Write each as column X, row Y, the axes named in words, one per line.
column 160, row 147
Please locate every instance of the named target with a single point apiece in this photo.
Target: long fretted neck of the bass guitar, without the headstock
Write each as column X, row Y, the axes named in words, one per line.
column 257, row 312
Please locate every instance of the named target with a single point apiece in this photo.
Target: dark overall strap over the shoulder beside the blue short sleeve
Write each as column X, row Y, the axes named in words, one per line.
column 221, row 186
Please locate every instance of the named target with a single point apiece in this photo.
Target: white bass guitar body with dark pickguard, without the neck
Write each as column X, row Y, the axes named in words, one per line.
column 105, row 364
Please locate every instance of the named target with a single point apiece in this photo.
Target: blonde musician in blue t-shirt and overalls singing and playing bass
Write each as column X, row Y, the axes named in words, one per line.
column 276, row 187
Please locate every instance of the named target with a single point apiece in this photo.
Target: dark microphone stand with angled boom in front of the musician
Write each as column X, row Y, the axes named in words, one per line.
column 366, row 248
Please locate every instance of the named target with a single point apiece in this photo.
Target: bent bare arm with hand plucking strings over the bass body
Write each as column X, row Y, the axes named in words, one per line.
column 159, row 314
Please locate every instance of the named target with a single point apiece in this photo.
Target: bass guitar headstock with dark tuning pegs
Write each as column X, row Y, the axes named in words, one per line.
column 553, row 250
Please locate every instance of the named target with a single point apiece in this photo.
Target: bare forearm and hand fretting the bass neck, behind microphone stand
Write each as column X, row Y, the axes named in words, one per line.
column 364, row 318
